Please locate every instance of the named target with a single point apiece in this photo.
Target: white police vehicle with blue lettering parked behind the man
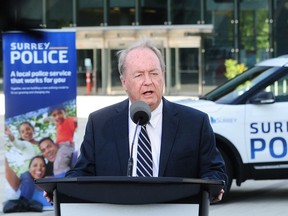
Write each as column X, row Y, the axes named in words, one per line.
column 249, row 115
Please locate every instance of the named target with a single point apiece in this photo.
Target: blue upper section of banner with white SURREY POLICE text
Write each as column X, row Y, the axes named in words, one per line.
column 38, row 72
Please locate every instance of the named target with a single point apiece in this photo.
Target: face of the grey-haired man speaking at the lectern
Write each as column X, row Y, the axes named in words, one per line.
column 143, row 78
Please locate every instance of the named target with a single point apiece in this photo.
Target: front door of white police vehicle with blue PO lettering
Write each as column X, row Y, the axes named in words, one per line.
column 266, row 122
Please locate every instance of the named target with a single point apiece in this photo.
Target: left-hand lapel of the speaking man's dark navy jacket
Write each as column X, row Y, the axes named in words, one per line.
column 120, row 127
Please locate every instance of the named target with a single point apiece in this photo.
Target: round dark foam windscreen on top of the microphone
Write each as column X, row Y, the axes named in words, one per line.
column 140, row 112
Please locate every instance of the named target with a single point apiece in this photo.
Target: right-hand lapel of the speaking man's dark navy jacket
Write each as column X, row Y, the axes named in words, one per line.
column 169, row 128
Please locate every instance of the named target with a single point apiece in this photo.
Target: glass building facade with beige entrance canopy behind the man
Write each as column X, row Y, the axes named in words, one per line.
column 197, row 36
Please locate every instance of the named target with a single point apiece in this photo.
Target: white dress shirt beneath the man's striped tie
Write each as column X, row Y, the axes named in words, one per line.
column 154, row 130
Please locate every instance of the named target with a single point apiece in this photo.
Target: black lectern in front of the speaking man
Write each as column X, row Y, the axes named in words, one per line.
column 131, row 191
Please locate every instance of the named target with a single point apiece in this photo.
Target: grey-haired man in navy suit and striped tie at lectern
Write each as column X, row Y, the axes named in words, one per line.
column 180, row 141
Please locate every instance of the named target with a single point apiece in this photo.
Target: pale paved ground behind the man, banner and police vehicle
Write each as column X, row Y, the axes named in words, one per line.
column 265, row 198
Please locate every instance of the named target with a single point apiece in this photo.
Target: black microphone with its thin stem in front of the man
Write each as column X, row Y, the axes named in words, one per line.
column 140, row 114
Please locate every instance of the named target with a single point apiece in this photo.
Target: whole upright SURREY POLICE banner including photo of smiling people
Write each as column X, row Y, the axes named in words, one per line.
column 40, row 110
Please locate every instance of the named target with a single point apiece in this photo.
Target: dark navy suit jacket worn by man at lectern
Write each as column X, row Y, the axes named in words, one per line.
column 187, row 148
